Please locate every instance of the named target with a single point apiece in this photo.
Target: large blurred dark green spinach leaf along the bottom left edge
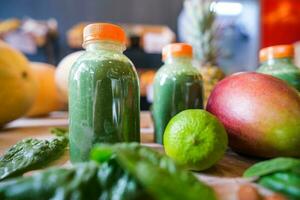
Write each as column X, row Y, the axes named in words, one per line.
column 82, row 181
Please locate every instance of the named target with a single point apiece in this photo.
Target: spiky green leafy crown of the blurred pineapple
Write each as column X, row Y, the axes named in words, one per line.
column 201, row 31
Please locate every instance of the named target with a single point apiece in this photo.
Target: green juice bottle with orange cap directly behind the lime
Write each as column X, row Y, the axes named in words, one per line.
column 177, row 86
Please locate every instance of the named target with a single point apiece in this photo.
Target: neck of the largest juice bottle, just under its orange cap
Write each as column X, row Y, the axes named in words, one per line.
column 104, row 45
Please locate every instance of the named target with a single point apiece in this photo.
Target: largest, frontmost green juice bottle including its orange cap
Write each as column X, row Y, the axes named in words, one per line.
column 104, row 98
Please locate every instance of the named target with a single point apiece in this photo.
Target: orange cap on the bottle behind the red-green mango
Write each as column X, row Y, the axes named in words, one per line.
column 279, row 51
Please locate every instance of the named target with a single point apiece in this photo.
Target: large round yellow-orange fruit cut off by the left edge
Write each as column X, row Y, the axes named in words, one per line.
column 17, row 84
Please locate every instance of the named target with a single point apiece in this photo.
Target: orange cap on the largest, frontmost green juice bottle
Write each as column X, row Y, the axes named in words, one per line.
column 104, row 31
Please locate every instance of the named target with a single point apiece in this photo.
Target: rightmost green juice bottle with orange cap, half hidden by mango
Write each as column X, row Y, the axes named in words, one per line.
column 278, row 61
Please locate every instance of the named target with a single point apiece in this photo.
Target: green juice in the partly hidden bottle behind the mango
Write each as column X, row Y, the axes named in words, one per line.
column 283, row 69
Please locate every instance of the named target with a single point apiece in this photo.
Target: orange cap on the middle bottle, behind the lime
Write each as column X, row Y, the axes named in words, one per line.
column 177, row 50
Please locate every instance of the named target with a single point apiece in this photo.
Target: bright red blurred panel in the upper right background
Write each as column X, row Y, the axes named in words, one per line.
column 280, row 22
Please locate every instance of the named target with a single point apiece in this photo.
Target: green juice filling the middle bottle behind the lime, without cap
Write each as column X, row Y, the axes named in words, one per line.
column 176, row 88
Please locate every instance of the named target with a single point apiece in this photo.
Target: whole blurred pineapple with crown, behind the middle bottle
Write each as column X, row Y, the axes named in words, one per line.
column 201, row 34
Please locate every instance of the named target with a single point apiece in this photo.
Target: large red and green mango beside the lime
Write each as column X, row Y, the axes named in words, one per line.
column 260, row 113
